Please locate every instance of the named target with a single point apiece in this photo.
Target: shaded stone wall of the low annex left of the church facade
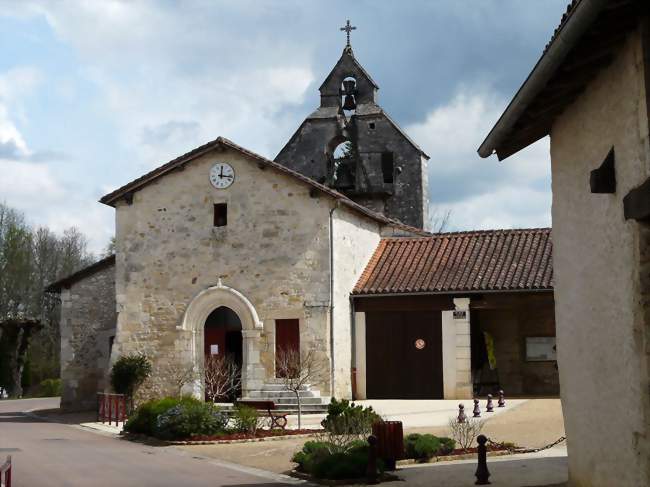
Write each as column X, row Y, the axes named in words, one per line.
column 87, row 324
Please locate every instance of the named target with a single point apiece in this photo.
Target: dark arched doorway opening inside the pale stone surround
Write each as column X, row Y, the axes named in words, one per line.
column 222, row 340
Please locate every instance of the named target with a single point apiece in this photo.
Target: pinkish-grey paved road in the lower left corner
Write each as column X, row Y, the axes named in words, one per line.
column 57, row 455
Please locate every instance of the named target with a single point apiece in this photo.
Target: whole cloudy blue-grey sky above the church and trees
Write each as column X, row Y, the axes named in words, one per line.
column 95, row 93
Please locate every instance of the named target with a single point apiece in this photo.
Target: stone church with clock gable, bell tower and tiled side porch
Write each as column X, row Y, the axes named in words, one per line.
column 325, row 249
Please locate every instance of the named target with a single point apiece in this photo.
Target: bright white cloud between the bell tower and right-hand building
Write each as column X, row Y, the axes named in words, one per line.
column 482, row 193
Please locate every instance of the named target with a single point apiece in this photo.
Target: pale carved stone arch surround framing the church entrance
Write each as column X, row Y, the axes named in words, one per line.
column 196, row 314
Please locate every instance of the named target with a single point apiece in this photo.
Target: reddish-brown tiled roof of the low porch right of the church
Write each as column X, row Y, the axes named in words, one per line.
column 491, row 260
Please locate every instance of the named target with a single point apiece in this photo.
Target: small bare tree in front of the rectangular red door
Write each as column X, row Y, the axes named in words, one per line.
column 297, row 371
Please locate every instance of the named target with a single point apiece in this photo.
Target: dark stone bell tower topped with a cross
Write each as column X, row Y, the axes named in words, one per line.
column 350, row 144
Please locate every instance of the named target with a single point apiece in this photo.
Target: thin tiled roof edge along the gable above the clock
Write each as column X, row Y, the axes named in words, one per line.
column 111, row 198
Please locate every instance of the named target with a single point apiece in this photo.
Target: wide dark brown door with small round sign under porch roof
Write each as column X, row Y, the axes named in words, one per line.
column 404, row 355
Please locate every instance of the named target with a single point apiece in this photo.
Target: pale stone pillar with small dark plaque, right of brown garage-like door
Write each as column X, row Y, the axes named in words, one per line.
column 463, row 349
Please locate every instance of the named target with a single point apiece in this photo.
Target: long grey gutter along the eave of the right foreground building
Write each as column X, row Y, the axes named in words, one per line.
column 574, row 27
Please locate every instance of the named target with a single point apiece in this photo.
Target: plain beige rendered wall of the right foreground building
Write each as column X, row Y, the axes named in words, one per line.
column 600, row 323
